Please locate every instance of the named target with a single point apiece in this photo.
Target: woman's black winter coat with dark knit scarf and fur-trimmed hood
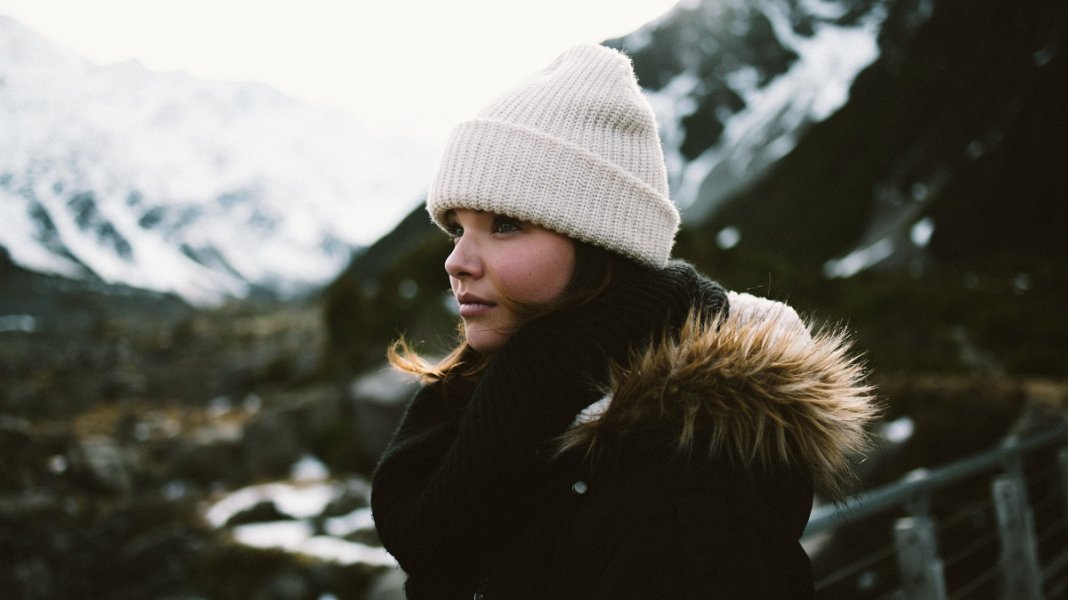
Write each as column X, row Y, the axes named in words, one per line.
column 687, row 473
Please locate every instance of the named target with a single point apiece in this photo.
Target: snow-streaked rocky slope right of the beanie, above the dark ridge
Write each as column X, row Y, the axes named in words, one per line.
column 736, row 84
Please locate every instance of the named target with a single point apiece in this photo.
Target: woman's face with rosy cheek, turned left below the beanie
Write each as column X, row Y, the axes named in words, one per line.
column 497, row 259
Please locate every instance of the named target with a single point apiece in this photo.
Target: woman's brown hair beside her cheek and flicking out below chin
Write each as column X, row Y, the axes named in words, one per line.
column 595, row 269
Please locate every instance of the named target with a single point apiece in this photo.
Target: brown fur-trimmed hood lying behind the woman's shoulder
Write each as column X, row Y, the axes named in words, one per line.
column 757, row 387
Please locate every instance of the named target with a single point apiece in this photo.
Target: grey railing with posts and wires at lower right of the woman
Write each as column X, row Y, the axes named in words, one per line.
column 991, row 526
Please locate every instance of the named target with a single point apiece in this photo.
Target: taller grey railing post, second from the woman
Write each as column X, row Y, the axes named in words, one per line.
column 1022, row 576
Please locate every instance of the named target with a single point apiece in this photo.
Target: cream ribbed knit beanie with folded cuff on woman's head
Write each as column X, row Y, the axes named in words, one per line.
column 575, row 149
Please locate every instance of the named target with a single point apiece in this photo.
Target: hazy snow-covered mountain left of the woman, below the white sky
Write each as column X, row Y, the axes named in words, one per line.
column 170, row 183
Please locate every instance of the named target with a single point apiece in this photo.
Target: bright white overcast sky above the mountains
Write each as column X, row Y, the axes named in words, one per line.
column 417, row 67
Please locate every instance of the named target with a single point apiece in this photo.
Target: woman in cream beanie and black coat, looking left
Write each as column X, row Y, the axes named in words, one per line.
column 614, row 425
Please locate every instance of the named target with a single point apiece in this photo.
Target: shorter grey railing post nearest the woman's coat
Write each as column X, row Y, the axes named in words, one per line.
column 918, row 559
